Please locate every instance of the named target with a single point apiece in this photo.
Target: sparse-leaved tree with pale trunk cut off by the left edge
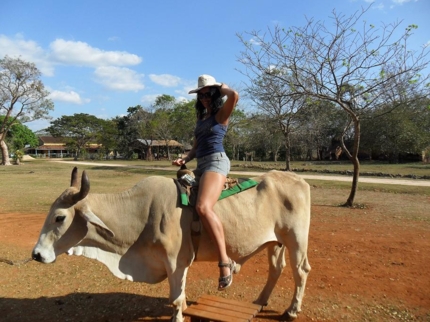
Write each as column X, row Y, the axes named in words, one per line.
column 22, row 96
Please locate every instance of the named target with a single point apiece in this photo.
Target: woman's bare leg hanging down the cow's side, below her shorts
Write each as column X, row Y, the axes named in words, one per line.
column 210, row 188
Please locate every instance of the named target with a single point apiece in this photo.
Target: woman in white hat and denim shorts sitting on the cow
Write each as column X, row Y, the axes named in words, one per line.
column 212, row 162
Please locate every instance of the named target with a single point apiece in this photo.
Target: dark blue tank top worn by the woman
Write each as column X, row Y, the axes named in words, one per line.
column 209, row 135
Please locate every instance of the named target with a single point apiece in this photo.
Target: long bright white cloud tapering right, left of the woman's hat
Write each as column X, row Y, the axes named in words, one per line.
column 80, row 53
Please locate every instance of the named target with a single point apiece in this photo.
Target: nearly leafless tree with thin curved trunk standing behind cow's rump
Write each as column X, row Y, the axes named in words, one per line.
column 356, row 68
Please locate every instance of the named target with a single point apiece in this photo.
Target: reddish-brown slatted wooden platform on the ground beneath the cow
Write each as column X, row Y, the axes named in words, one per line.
column 214, row 308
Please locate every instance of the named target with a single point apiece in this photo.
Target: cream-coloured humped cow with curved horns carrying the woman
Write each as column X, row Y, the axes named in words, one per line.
column 144, row 234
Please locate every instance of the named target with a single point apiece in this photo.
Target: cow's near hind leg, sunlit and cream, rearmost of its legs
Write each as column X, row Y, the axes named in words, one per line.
column 297, row 248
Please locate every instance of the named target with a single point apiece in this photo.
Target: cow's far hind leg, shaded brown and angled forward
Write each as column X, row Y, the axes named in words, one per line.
column 276, row 258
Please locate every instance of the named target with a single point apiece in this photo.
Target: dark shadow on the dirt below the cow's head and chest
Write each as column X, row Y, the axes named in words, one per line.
column 109, row 307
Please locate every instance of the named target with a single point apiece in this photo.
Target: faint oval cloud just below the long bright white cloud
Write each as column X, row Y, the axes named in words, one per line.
column 119, row 78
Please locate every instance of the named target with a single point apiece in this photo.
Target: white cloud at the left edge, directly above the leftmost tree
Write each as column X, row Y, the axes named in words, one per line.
column 27, row 50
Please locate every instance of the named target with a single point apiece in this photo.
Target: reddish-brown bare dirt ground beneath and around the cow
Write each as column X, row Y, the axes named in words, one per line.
column 366, row 266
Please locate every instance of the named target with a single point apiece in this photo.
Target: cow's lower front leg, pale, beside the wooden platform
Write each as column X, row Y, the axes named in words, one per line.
column 177, row 281
